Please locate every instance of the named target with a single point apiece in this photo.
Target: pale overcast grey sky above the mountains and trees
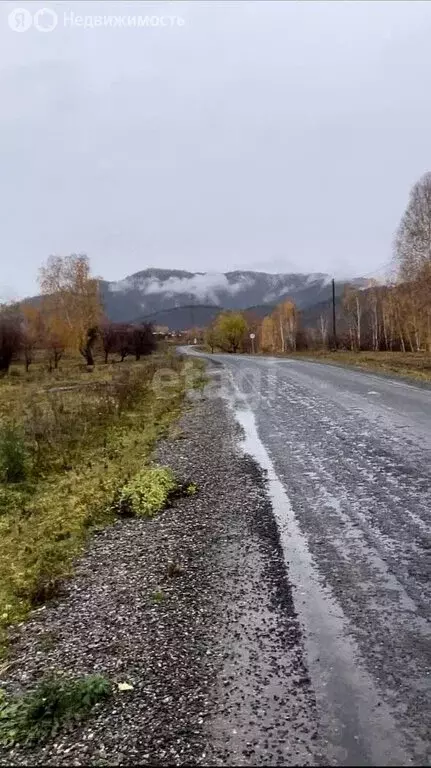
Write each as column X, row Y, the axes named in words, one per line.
column 280, row 136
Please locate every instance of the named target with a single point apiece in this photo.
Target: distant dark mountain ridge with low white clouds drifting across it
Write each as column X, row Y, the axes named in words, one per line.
column 180, row 299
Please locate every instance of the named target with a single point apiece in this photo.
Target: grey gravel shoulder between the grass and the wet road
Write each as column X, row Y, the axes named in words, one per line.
column 217, row 664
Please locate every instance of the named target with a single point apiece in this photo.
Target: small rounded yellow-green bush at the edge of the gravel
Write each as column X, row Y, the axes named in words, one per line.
column 147, row 493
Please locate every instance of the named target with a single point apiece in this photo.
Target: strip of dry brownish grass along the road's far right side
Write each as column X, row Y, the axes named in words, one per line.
column 416, row 365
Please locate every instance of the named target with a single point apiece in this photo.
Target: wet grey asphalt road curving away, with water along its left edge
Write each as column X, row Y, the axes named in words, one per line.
column 348, row 458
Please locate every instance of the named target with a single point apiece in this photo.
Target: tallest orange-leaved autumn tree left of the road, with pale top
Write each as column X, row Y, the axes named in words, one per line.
column 73, row 301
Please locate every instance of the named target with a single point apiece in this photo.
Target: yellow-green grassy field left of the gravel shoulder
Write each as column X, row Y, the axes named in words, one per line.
column 70, row 442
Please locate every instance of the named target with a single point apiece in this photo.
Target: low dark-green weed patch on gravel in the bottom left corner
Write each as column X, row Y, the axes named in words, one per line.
column 37, row 715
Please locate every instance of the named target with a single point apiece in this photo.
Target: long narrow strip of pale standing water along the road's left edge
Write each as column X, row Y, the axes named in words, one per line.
column 356, row 726
